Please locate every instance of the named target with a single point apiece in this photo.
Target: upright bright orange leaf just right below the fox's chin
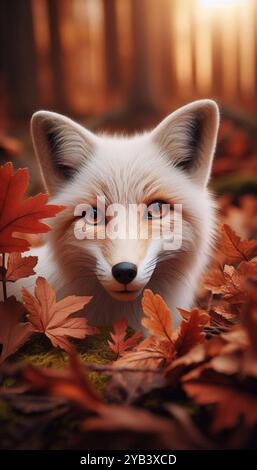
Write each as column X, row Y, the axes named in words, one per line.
column 159, row 317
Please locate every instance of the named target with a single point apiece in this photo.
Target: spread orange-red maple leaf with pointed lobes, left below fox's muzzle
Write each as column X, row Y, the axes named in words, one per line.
column 54, row 318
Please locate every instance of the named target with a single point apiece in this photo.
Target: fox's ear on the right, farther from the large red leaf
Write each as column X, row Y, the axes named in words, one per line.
column 188, row 137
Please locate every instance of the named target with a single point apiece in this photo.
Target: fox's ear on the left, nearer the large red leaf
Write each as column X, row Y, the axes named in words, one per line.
column 61, row 146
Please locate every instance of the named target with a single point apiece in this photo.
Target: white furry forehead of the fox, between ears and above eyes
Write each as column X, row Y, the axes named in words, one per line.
column 127, row 171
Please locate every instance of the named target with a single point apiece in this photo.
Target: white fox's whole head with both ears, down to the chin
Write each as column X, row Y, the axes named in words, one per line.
column 124, row 196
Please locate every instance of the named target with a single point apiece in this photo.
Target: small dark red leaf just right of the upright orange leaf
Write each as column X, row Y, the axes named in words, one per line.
column 190, row 331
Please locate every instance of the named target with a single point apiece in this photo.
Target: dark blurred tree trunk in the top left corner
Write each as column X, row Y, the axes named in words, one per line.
column 18, row 56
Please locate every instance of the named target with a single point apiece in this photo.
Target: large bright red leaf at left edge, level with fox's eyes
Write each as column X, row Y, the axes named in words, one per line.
column 18, row 214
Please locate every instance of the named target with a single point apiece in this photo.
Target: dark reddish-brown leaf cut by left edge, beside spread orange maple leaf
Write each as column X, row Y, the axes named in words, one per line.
column 13, row 332
